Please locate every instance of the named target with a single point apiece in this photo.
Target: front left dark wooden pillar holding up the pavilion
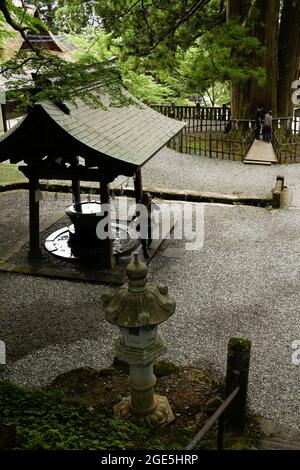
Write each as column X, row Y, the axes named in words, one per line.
column 34, row 218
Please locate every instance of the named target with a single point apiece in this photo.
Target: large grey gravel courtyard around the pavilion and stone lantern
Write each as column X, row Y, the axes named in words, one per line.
column 243, row 282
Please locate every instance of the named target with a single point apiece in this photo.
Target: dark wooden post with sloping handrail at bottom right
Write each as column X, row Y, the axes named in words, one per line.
column 231, row 414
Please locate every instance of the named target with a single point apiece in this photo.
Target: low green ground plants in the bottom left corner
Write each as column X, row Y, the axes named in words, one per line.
column 46, row 420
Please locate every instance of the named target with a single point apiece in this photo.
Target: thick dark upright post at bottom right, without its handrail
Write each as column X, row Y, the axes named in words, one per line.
column 238, row 360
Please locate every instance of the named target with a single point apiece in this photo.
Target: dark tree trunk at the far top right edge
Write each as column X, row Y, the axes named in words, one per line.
column 288, row 56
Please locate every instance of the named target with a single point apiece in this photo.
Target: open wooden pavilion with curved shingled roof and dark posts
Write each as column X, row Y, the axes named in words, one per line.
column 111, row 142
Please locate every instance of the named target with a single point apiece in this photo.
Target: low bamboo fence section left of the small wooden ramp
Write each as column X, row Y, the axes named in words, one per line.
column 214, row 145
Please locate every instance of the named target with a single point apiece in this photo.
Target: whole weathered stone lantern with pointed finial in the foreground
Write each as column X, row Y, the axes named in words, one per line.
column 137, row 308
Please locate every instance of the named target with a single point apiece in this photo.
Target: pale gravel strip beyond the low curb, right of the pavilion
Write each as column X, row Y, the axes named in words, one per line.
column 169, row 169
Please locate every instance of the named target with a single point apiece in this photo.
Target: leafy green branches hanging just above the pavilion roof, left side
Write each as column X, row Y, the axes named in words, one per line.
column 59, row 80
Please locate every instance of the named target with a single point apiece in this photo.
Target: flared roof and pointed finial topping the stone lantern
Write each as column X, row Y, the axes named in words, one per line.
column 138, row 303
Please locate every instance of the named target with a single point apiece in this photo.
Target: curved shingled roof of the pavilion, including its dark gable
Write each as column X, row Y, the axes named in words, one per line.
column 120, row 138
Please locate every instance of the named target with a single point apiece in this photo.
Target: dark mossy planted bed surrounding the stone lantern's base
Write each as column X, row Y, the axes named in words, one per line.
column 76, row 412
